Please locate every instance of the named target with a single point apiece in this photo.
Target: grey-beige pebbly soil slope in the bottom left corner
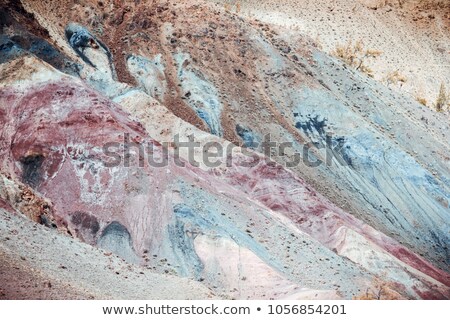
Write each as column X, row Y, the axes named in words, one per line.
column 45, row 264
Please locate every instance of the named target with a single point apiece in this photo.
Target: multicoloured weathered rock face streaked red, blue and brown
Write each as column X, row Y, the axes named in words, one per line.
column 225, row 225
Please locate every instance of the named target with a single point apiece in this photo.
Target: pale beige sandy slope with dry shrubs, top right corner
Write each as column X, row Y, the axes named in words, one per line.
column 413, row 35
